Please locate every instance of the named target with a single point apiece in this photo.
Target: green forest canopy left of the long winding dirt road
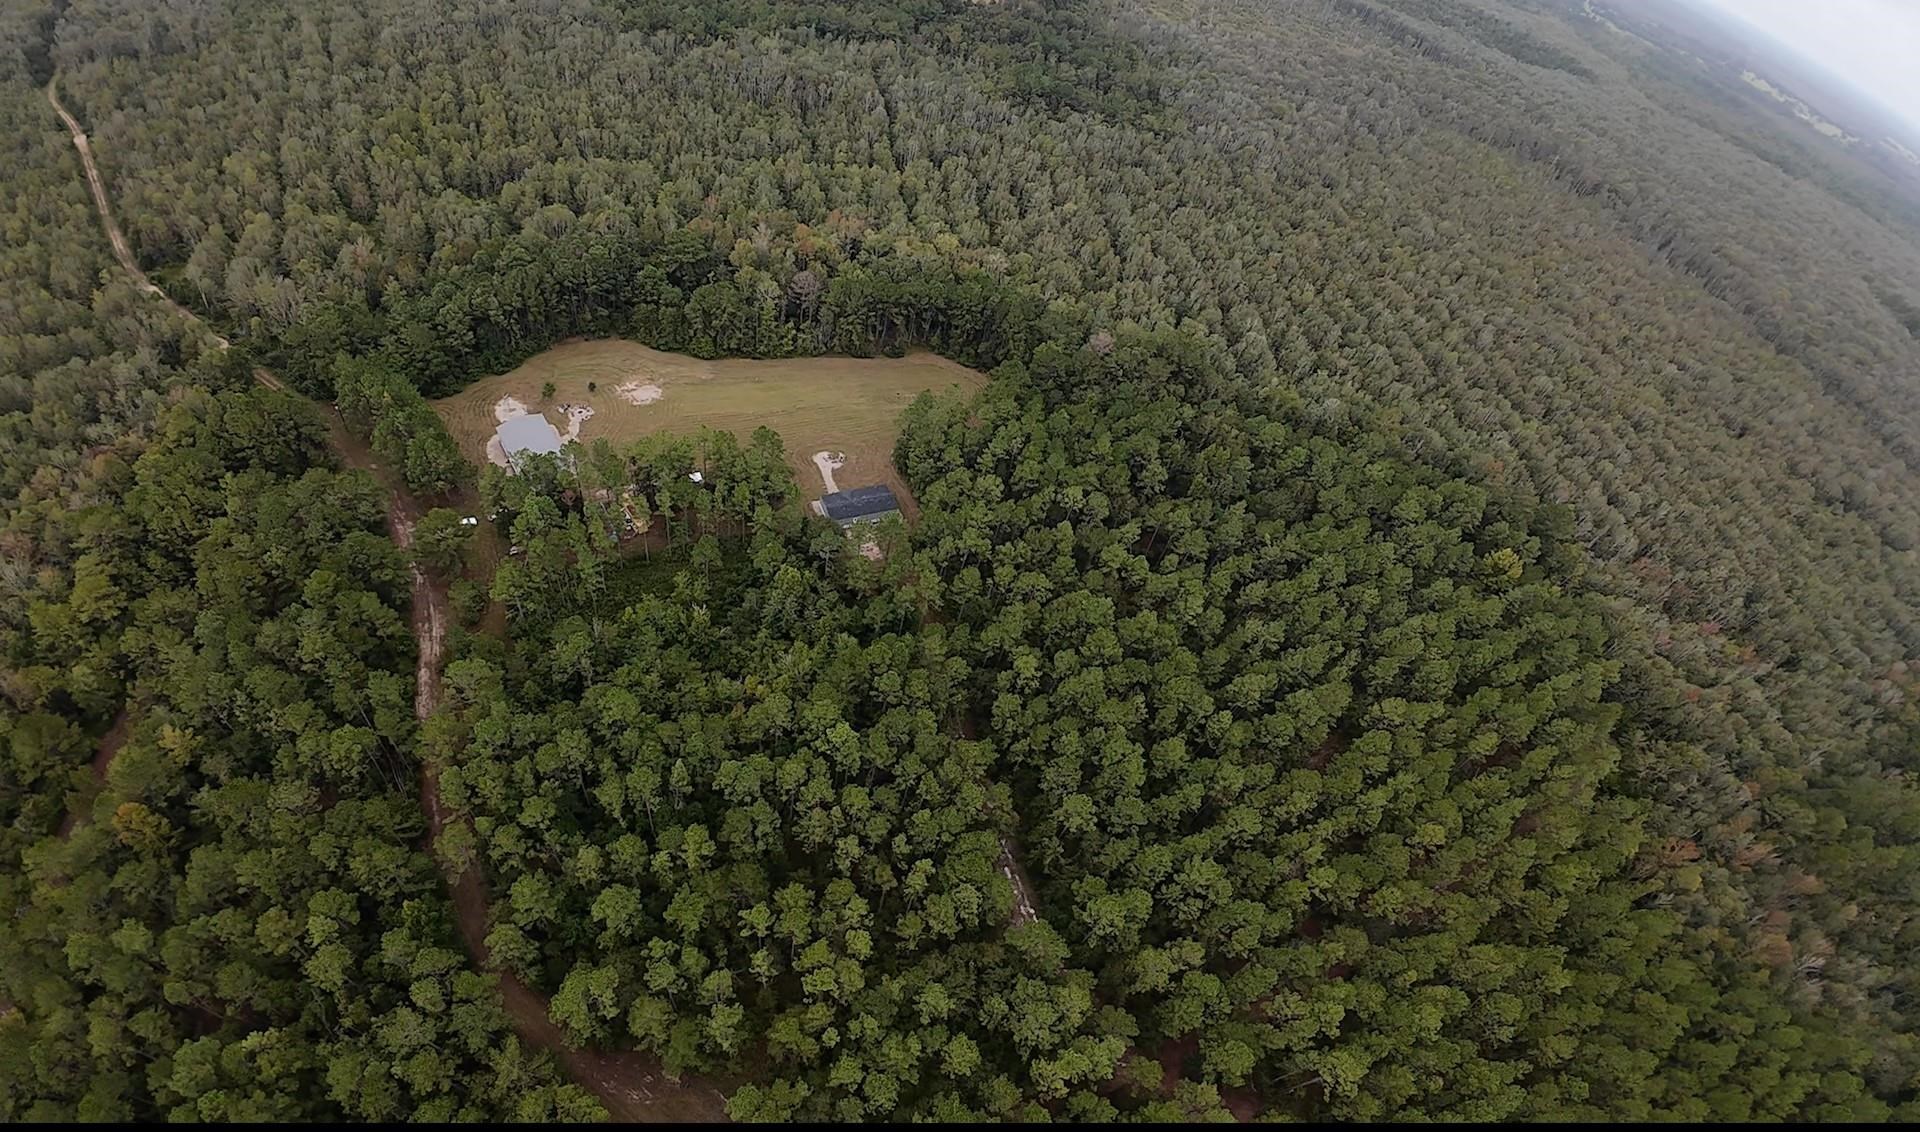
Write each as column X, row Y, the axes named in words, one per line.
column 239, row 926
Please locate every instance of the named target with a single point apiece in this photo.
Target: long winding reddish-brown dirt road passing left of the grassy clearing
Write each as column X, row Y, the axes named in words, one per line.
column 633, row 1087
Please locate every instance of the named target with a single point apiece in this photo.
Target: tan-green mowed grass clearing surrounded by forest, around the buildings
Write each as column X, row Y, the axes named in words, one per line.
column 848, row 406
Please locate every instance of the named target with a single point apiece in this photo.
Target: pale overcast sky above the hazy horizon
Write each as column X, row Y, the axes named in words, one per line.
column 1873, row 43
